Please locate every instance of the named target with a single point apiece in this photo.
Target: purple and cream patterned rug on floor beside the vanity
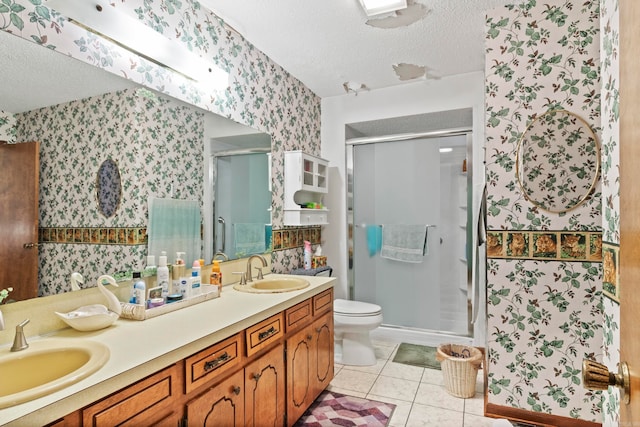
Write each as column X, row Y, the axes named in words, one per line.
column 335, row 409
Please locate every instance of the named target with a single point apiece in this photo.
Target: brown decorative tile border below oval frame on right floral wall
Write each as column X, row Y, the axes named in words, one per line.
column 545, row 245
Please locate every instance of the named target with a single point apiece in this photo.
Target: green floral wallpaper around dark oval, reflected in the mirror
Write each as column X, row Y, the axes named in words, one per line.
column 158, row 147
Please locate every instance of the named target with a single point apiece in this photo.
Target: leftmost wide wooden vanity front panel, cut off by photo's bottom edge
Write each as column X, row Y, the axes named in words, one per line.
column 151, row 401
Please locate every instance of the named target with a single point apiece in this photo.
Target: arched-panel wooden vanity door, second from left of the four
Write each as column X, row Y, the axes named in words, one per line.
column 264, row 389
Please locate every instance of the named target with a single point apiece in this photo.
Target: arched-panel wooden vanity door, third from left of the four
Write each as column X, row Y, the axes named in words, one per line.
column 300, row 362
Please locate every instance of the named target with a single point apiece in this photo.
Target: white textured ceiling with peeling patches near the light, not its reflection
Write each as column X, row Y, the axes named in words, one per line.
column 327, row 43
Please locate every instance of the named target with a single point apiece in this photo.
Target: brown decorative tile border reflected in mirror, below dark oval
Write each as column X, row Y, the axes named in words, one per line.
column 94, row 235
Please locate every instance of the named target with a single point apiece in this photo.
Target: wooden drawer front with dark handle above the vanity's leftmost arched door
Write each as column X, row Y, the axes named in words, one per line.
column 213, row 361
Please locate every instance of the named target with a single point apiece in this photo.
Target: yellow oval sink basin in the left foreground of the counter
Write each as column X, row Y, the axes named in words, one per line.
column 47, row 366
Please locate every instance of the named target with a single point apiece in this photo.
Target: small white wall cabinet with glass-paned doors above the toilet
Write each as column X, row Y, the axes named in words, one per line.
column 306, row 181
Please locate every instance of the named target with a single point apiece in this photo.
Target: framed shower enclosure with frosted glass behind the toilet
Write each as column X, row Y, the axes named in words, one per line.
column 412, row 179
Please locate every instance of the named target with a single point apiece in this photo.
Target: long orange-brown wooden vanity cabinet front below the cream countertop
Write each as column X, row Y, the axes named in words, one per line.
column 268, row 374
